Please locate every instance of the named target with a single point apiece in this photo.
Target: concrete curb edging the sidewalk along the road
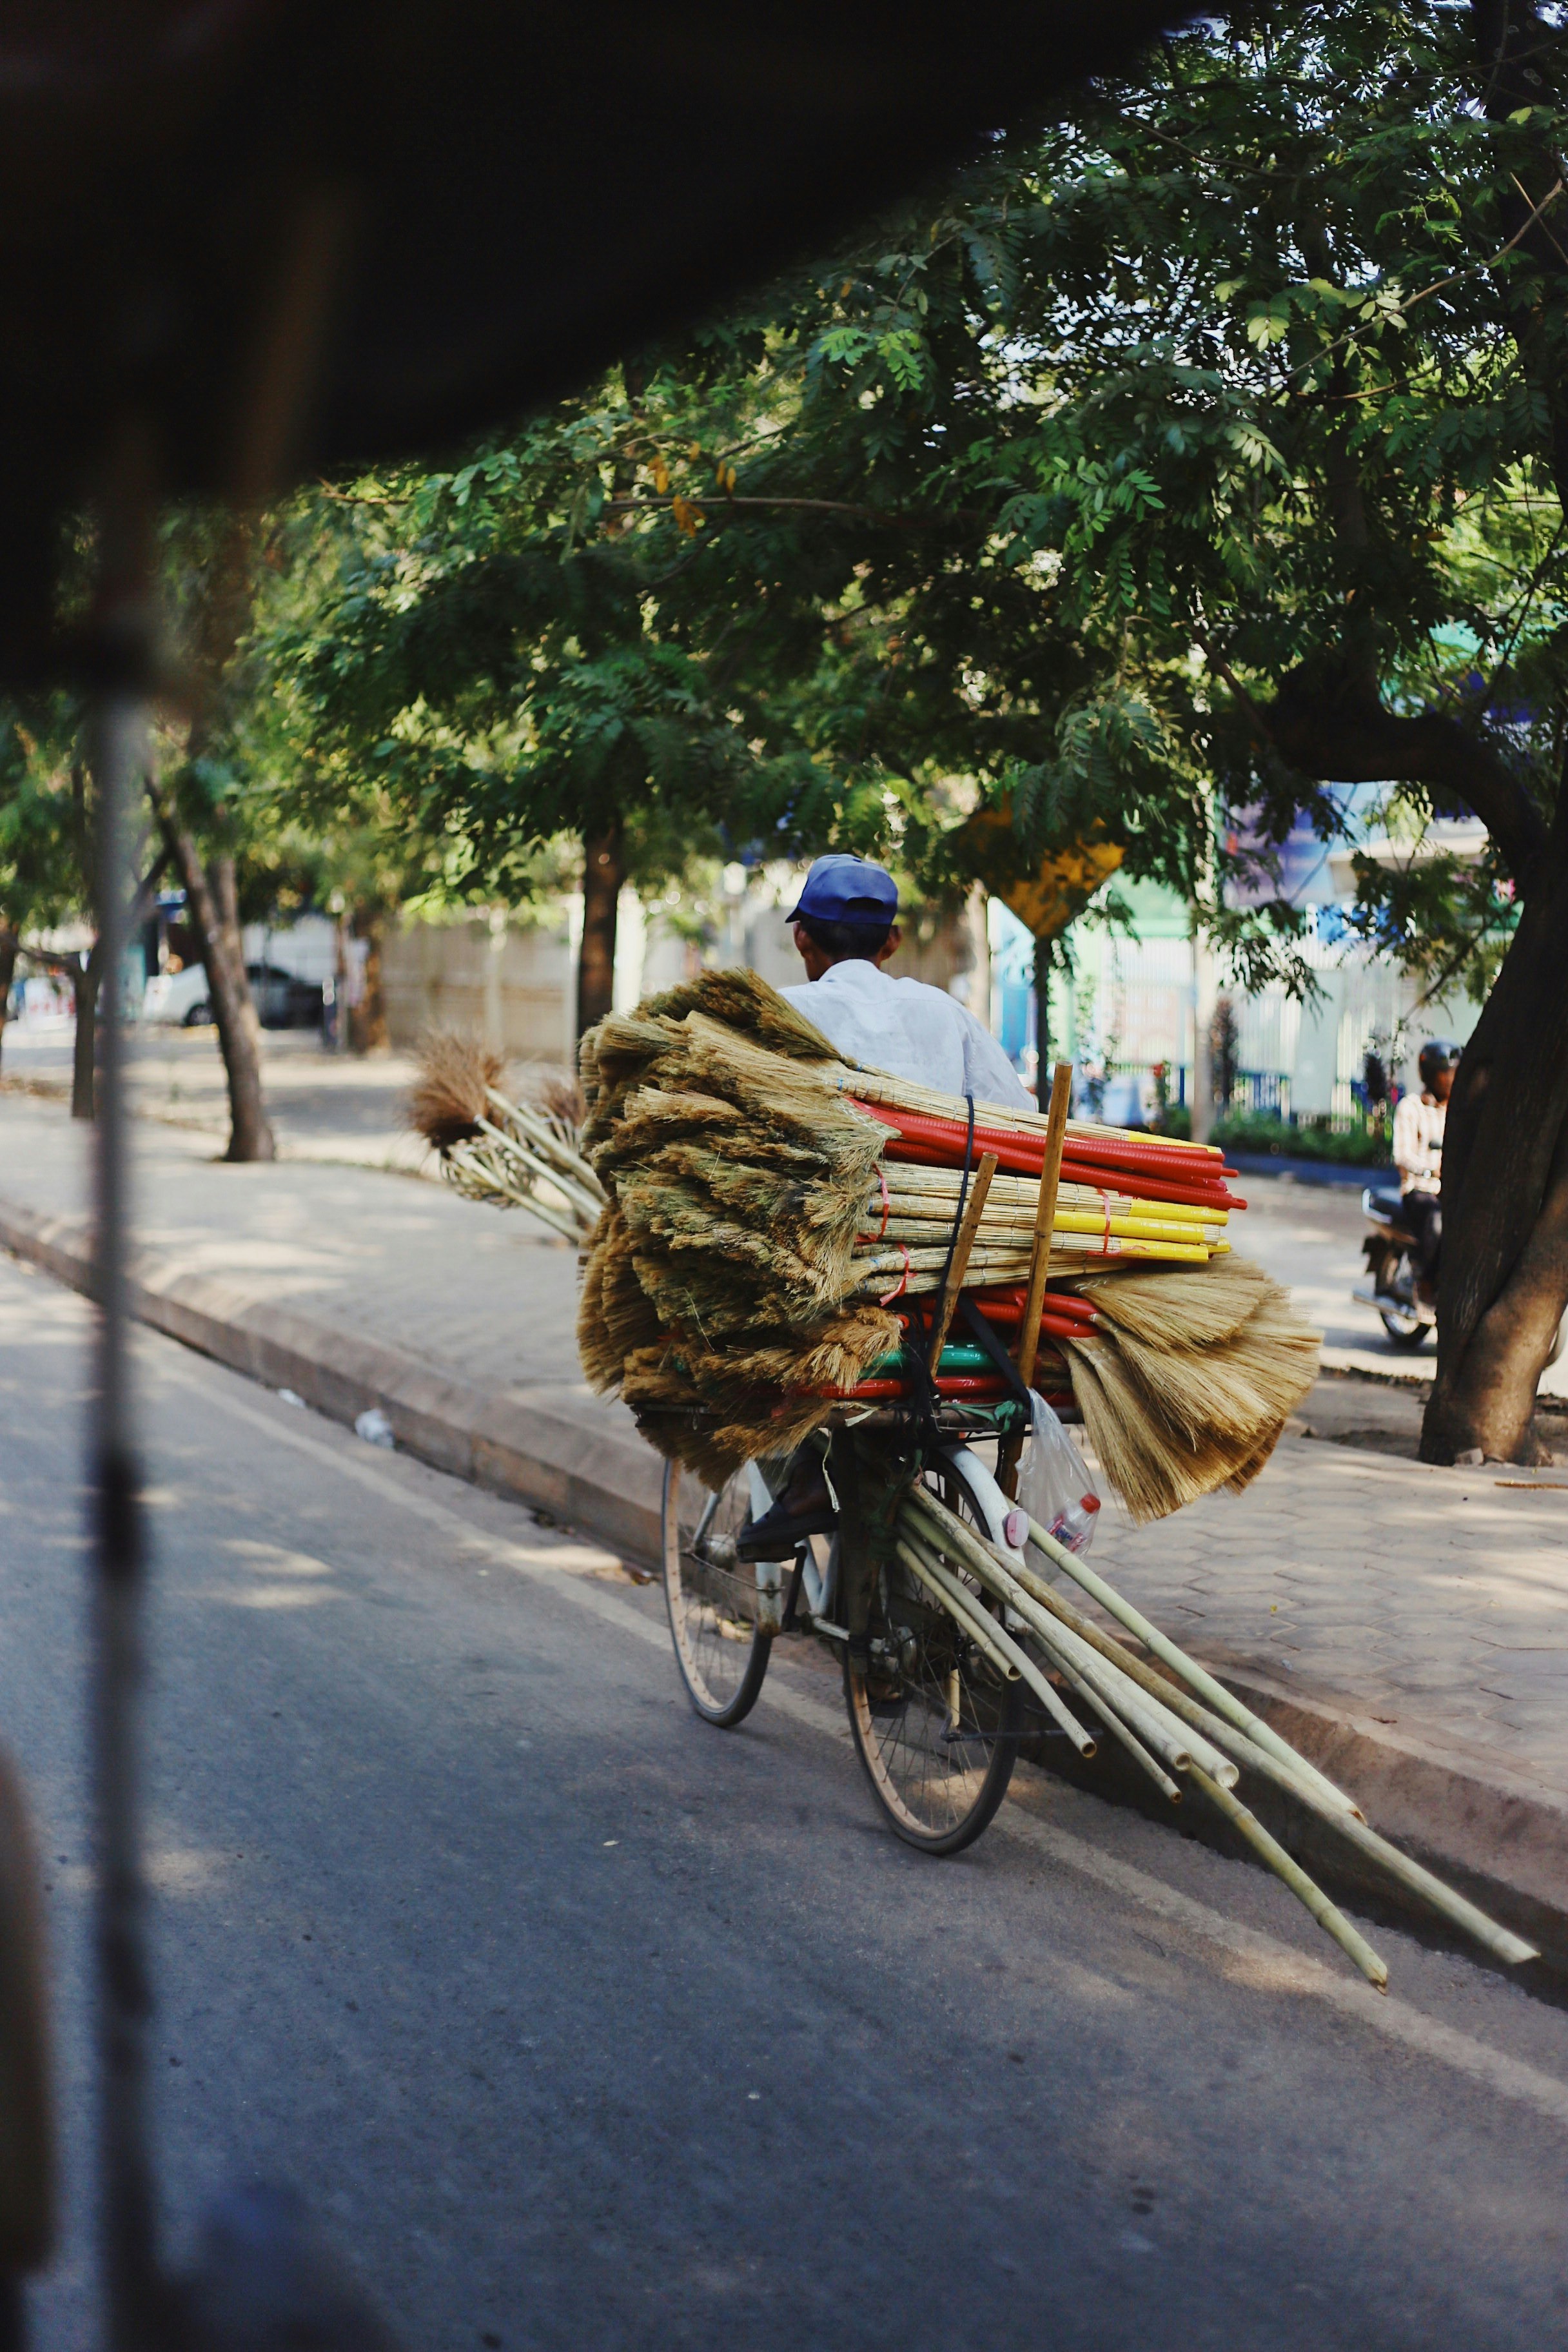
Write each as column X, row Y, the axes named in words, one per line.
column 1499, row 1836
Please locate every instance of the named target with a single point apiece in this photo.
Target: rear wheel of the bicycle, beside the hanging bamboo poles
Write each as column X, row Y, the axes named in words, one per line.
column 934, row 1723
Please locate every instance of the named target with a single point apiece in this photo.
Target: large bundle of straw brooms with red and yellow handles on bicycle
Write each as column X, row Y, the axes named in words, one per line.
column 782, row 1227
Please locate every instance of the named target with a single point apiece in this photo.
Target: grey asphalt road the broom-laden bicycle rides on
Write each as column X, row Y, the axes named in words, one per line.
column 587, row 2026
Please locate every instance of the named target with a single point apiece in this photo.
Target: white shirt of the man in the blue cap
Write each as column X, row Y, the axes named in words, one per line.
column 911, row 1031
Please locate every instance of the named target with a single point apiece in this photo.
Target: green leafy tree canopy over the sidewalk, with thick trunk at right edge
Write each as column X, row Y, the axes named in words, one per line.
column 1205, row 450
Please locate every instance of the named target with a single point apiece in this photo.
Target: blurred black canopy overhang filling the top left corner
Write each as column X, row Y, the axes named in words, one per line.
column 319, row 236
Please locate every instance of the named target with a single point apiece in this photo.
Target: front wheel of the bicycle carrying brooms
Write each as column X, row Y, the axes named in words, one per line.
column 711, row 1596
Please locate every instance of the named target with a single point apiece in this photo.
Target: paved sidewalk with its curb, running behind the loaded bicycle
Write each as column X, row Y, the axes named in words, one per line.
column 1409, row 1624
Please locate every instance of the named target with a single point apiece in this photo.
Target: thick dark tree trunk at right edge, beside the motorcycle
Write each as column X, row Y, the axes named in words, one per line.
column 1503, row 1278
